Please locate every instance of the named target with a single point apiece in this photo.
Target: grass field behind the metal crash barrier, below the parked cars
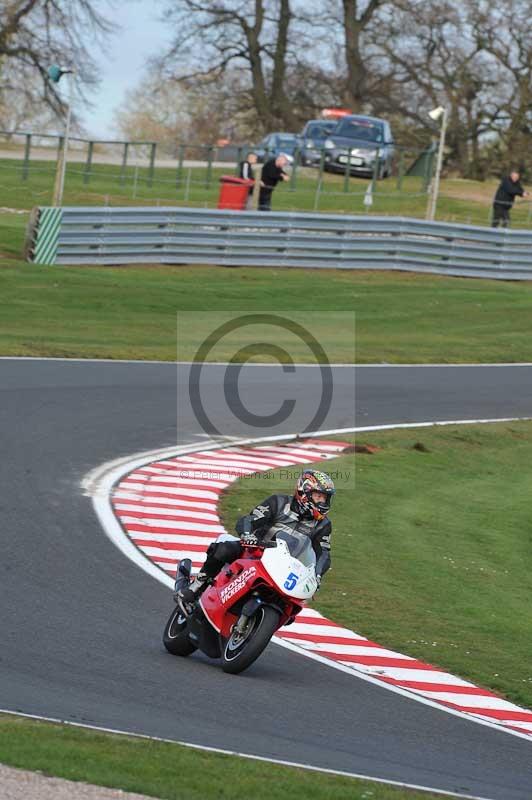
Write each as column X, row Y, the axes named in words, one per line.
column 460, row 200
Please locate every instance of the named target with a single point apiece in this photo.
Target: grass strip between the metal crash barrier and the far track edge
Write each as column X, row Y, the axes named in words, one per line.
column 105, row 312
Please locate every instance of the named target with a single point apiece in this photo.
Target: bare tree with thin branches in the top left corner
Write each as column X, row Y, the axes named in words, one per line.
column 36, row 33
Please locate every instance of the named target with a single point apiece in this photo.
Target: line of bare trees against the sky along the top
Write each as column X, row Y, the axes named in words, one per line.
column 238, row 69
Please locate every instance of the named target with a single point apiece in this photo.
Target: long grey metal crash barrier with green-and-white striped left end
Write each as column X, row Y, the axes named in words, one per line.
column 260, row 239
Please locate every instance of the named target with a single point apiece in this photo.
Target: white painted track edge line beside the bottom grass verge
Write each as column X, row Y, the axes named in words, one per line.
column 250, row 756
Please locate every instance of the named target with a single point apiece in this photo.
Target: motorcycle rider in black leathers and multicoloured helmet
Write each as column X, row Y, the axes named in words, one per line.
column 304, row 513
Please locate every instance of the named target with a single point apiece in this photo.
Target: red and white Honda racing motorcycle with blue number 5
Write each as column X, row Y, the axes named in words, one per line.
column 237, row 615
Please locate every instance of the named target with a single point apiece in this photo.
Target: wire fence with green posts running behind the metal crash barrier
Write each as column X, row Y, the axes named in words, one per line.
column 139, row 173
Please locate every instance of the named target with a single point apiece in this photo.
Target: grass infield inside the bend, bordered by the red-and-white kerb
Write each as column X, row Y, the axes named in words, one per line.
column 431, row 547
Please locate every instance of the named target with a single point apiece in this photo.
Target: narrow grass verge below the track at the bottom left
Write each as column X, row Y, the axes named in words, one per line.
column 170, row 771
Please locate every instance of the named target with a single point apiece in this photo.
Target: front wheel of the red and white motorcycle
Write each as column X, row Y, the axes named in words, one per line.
column 242, row 649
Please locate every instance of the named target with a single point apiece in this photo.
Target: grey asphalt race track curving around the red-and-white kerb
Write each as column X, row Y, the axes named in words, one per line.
column 81, row 625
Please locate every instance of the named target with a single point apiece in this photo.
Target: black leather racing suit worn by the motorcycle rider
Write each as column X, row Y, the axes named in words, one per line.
column 275, row 513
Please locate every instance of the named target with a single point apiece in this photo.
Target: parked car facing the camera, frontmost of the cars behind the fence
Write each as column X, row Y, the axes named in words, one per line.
column 361, row 141
